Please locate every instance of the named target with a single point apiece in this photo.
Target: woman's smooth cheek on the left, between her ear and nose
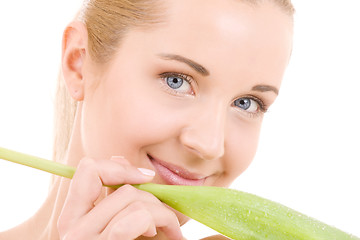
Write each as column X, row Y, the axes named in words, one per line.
column 122, row 122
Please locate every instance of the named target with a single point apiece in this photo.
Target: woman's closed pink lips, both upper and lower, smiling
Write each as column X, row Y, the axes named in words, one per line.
column 175, row 175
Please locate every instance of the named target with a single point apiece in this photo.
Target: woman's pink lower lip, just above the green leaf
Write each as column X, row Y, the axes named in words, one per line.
column 173, row 179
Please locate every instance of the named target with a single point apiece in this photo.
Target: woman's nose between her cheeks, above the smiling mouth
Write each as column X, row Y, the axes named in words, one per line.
column 204, row 134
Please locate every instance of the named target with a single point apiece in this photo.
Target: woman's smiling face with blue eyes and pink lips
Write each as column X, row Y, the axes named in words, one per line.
column 186, row 98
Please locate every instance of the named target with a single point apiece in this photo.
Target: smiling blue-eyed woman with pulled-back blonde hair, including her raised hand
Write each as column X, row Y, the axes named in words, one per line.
column 171, row 92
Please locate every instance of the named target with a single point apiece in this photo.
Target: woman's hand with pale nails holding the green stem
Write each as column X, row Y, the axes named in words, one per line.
column 125, row 214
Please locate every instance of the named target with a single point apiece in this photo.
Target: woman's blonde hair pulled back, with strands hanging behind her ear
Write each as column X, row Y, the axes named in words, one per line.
column 107, row 22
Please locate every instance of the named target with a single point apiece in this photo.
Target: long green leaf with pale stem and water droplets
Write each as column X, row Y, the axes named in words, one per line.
column 233, row 213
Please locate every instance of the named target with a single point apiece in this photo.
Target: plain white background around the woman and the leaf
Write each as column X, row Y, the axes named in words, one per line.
column 308, row 156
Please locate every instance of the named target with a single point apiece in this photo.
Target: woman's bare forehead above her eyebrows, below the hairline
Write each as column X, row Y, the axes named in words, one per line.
column 254, row 40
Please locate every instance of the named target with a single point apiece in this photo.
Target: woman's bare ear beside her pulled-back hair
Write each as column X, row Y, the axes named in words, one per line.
column 74, row 50
